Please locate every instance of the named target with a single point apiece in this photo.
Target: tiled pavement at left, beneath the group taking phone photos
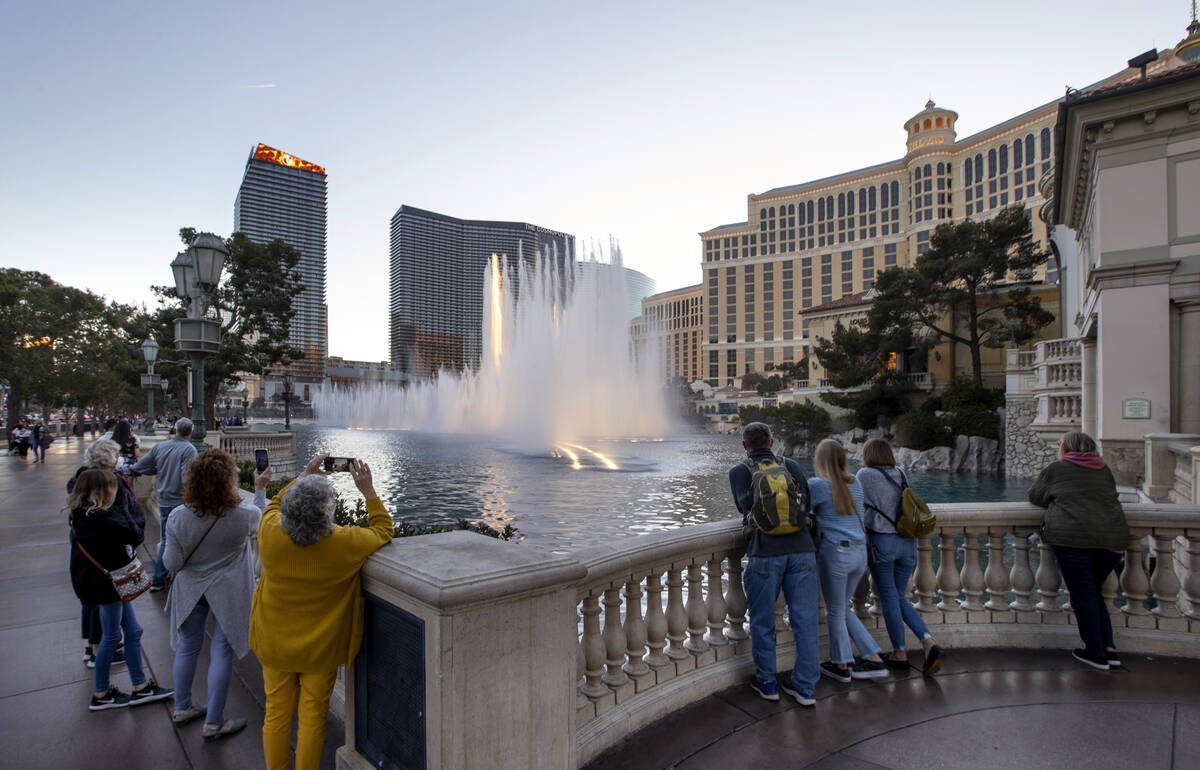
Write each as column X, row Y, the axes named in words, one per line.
column 45, row 721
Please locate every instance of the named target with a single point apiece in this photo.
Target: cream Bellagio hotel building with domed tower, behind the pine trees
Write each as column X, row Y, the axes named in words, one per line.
column 811, row 244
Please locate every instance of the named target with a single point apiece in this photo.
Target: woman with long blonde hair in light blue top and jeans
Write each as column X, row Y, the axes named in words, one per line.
column 842, row 564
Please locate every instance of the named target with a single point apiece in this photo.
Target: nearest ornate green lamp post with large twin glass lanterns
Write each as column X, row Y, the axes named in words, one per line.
column 197, row 274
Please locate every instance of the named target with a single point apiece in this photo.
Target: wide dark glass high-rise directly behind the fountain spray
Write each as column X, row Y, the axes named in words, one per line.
column 436, row 290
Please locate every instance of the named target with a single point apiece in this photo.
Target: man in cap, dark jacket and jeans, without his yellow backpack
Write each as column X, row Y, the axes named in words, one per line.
column 775, row 563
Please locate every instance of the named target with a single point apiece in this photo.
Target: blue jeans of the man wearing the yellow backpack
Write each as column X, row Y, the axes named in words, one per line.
column 797, row 575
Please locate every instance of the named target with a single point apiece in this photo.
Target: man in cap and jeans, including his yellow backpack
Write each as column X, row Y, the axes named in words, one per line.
column 773, row 498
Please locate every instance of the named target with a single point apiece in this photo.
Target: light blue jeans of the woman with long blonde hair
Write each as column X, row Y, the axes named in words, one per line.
column 842, row 568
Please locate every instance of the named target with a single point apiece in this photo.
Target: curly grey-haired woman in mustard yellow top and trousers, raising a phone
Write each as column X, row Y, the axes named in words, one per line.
column 307, row 618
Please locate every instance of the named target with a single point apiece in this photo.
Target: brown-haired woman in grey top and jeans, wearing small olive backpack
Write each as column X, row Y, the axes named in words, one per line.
column 895, row 557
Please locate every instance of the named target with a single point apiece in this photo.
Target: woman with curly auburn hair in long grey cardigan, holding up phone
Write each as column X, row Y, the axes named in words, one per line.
column 208, row 550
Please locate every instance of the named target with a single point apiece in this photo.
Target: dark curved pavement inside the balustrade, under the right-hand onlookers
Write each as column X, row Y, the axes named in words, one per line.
column 987, row 709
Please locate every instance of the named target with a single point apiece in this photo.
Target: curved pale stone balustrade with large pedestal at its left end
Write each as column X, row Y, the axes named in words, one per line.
column 593, row 652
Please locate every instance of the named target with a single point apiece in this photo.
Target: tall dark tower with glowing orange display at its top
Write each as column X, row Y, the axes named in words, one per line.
column 284, row 197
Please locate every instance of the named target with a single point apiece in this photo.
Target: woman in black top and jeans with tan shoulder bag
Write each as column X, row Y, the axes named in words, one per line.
column 103, row 539
